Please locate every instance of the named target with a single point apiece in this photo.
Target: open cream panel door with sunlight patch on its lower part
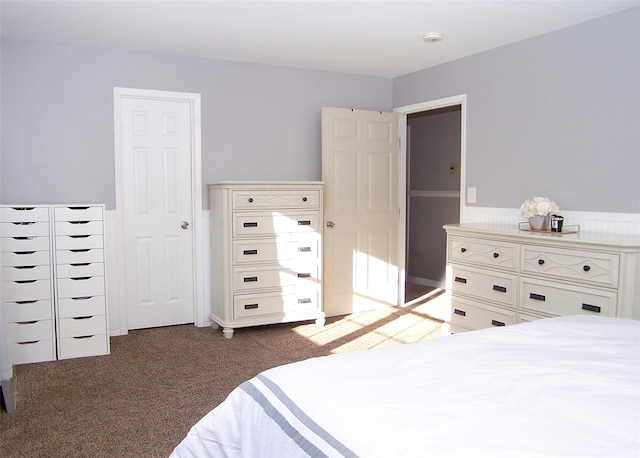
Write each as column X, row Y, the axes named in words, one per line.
column 360, row 152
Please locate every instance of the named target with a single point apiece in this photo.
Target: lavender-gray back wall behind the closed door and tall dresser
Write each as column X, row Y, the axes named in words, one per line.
column 259, row 122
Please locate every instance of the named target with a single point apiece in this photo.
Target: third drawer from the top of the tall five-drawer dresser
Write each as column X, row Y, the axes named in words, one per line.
column 274, row 250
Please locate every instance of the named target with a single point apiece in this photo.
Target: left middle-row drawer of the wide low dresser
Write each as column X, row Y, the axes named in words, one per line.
column 487, row 285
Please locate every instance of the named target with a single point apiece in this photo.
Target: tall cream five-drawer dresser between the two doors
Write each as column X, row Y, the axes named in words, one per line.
column 266, row 253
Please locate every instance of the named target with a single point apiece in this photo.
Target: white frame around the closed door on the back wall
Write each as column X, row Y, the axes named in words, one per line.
column 197, row 247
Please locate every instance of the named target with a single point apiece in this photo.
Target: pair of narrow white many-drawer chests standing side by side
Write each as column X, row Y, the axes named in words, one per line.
column 53, row 280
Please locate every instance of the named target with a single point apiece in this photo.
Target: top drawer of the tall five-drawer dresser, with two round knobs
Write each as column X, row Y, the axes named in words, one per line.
column 246, row 199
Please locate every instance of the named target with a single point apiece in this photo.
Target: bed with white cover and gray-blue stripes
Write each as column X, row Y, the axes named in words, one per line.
column 566, row 386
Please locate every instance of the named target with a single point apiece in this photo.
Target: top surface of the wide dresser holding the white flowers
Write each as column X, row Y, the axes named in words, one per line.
column 514, row 233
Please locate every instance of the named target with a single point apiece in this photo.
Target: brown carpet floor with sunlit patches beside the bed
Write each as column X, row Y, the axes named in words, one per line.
column 141, row 400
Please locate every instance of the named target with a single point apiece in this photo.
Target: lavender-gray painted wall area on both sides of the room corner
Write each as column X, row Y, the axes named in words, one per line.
column 556, row 115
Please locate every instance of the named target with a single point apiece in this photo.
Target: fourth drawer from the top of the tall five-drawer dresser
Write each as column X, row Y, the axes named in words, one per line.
column 247, row 278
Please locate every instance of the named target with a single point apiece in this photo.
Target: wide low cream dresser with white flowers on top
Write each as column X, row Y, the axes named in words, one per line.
column 500, row 275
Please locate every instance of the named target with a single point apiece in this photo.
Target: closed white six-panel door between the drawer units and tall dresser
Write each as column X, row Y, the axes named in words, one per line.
column 156, row 198
